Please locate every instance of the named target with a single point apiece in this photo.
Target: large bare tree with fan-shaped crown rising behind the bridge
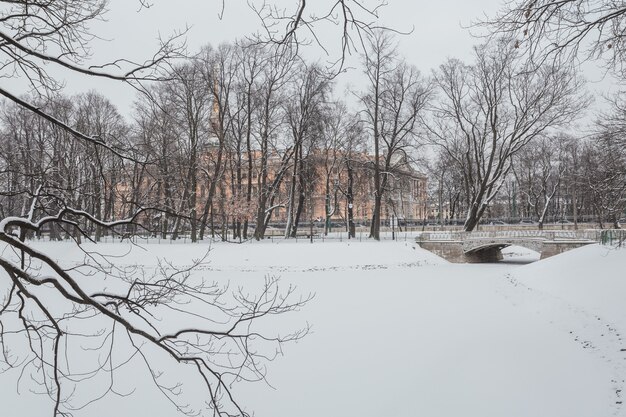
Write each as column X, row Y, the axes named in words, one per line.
column 490, row 110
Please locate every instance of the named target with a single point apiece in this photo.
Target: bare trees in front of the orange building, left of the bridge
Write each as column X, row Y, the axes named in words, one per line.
column 234, row 134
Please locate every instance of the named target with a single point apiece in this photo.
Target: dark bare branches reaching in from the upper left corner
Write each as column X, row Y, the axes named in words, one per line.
column 34, row 34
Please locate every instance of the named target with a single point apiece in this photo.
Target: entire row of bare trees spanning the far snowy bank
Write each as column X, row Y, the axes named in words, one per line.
column 242, row 130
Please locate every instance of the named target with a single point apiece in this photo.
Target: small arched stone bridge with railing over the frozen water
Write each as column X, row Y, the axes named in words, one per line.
column 460, row 247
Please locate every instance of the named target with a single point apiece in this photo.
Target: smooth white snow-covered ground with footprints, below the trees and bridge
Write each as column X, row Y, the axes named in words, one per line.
column 397, row 331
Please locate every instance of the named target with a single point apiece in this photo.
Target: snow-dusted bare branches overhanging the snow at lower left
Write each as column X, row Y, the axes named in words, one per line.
column 44, row 307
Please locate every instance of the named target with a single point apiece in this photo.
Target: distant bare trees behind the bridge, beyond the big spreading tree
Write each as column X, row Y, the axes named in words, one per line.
column 554, row 178
